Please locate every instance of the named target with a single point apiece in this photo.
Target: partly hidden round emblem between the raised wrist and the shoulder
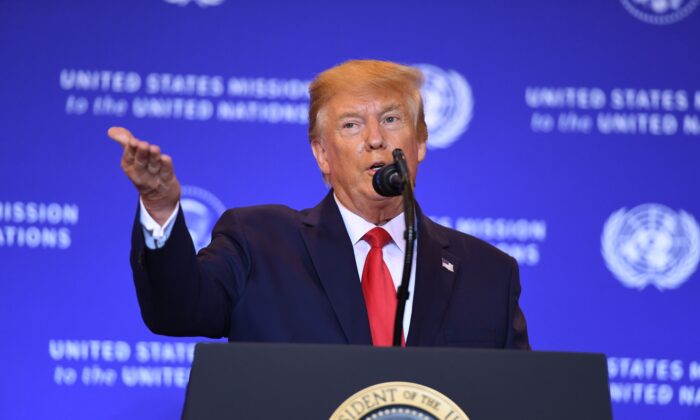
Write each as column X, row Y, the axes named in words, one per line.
column 201, row 209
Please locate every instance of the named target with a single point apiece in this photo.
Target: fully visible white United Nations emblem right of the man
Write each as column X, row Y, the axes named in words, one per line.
column 651, row 244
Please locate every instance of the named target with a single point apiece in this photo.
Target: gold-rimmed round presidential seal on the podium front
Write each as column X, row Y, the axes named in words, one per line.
column 401, row 401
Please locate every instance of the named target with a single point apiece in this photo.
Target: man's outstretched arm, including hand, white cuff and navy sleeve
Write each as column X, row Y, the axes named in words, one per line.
column 178, row 294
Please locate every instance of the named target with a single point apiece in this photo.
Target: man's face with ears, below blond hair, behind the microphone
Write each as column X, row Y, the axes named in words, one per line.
column 358, row 134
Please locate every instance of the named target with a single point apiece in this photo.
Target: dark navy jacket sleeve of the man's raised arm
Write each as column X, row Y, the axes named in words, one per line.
column 181, row 293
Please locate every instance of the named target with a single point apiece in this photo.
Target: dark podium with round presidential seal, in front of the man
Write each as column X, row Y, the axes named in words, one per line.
column 298, row 381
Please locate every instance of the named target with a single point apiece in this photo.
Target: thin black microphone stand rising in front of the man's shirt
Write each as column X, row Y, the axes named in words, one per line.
column 410, row 236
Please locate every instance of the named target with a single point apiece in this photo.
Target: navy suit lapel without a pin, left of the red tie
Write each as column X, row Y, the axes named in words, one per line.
column 329, row 246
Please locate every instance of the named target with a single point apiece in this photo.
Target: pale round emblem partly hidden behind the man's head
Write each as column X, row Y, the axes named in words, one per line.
column 448, row 103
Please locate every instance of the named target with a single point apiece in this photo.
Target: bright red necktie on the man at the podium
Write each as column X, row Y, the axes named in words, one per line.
column 378, row 289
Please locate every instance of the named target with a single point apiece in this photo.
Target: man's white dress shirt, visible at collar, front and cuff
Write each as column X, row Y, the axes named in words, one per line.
column 156, row 235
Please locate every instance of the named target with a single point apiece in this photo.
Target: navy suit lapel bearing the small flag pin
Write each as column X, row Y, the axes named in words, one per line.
column 434, row 283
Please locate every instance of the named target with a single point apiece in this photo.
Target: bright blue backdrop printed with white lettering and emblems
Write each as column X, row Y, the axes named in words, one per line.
column 566, row 134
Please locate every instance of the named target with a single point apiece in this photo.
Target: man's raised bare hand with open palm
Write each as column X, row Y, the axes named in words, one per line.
column 151, row 172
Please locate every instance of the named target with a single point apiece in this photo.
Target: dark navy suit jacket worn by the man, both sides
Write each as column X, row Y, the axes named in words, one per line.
column 275, row 274
